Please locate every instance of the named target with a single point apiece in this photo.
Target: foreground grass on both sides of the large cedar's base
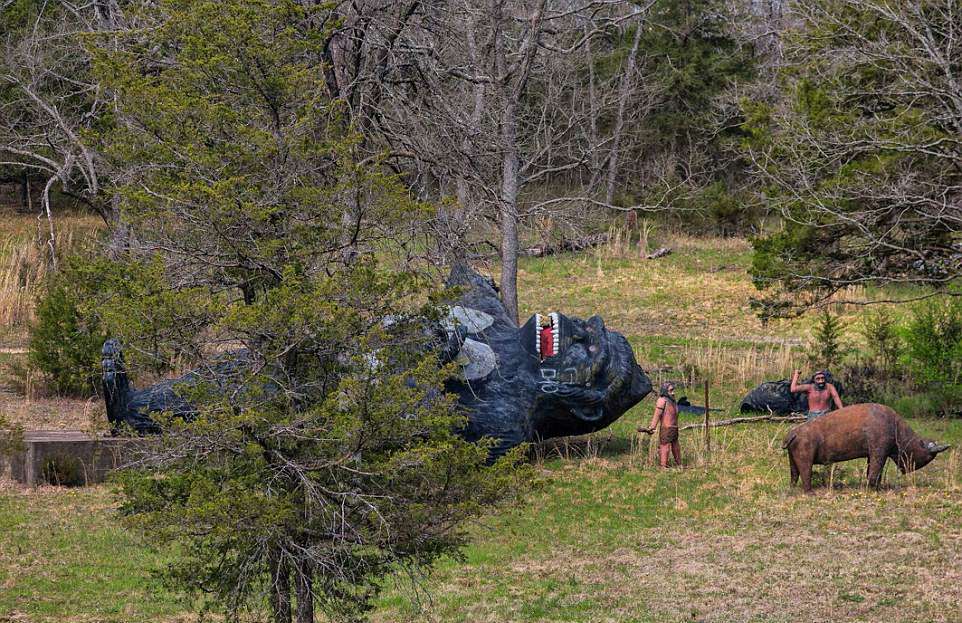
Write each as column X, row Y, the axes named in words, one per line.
column 604, row 536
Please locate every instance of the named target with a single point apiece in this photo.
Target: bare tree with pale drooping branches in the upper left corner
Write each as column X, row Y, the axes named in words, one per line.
column 49, row 102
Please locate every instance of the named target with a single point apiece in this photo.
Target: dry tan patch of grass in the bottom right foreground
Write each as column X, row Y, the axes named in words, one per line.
column 775, row 570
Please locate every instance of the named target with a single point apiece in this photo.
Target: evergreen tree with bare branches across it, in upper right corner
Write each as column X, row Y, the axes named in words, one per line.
column 853, row 155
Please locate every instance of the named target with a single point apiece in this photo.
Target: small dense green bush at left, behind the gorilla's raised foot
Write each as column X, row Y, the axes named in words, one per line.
column 65, row 340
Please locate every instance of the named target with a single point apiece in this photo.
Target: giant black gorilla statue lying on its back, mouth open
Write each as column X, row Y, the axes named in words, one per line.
column 554, row 376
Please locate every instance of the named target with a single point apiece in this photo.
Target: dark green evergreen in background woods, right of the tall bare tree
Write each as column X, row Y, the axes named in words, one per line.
column 690, row 58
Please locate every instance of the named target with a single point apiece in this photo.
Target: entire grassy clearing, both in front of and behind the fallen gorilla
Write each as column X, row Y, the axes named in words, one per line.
column 605, row 535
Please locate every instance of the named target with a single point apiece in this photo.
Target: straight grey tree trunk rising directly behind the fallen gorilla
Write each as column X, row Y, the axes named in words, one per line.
column 509, row 211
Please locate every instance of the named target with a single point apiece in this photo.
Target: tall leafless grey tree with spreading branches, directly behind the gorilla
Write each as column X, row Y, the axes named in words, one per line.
column 487, row 97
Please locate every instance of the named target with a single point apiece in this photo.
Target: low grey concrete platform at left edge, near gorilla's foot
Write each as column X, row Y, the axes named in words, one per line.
column 69, row 457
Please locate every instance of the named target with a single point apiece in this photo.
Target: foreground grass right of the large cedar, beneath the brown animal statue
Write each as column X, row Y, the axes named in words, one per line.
column 609, row 537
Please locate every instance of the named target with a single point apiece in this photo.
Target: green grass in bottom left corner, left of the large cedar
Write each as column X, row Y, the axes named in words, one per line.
column 63, row 556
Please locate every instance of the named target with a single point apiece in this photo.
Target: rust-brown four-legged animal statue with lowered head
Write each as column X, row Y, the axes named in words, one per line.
column 870, row 431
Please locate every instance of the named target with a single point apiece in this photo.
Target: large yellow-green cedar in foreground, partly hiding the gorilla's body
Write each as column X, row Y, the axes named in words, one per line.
column 327, row 456
